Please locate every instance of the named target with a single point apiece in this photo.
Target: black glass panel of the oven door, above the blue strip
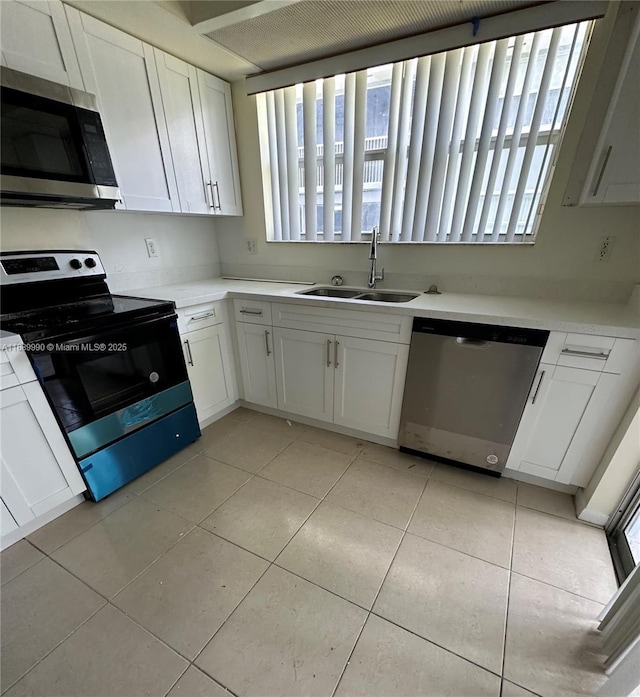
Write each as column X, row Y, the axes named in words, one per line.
column 85, row 382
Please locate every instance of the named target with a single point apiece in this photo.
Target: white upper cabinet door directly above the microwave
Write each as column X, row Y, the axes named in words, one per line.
column 36, row 40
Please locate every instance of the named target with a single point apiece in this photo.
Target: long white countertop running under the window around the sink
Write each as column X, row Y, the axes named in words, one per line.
column 567, row 316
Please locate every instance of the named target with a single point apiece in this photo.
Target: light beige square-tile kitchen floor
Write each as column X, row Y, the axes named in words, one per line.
column 276, row 559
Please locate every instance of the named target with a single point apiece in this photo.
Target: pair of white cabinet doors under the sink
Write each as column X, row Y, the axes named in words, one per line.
column 349, row 381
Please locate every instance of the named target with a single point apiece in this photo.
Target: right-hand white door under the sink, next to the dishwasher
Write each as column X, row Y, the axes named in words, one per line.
column 369, row 382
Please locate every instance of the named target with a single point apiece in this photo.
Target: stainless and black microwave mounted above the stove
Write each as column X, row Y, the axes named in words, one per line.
column 54, row 152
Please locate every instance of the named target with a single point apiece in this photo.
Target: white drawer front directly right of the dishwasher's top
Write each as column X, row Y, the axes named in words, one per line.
column 604, row 354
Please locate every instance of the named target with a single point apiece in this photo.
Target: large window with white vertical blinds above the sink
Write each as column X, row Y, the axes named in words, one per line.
column 454, row 147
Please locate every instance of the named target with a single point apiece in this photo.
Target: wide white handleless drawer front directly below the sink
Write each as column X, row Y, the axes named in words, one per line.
column 355, row 323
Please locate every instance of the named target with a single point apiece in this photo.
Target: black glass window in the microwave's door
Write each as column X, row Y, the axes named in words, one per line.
column 40, row 138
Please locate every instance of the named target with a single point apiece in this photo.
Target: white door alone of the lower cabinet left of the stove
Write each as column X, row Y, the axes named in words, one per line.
column 32, row 480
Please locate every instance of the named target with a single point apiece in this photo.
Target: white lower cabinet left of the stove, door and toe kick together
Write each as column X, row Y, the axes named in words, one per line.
column 38, row 470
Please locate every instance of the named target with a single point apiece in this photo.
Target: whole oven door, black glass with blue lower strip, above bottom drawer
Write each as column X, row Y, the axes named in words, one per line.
column 107, row 385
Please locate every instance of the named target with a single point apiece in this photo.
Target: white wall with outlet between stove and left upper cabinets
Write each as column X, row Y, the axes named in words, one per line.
column 187, row 244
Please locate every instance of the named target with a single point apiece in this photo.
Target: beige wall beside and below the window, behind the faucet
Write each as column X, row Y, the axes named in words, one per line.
column 562, row 263
